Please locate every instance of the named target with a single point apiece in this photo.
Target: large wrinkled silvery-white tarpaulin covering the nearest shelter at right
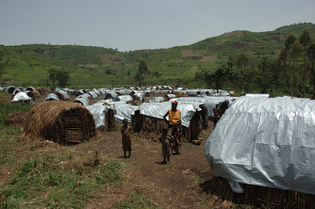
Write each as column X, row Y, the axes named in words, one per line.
column 267, row 142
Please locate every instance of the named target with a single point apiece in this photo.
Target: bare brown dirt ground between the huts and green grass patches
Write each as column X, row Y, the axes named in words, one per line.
column 174, row 185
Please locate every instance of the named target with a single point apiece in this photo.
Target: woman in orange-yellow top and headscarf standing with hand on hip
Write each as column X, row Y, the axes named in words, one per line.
column 174, row 121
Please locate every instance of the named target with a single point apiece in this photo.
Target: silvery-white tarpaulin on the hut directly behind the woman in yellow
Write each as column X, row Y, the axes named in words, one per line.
column 158, row 110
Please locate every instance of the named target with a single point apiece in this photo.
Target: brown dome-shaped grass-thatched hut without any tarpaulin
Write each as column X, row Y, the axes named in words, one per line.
column 60, row 121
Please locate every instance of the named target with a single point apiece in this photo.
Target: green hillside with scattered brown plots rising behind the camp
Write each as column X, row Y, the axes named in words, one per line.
column 27, row 65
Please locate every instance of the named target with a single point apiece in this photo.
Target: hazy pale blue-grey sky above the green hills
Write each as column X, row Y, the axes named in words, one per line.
column 128, row 25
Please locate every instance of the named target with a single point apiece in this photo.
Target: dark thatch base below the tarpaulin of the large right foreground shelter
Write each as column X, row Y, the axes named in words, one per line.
column 261, row 197
